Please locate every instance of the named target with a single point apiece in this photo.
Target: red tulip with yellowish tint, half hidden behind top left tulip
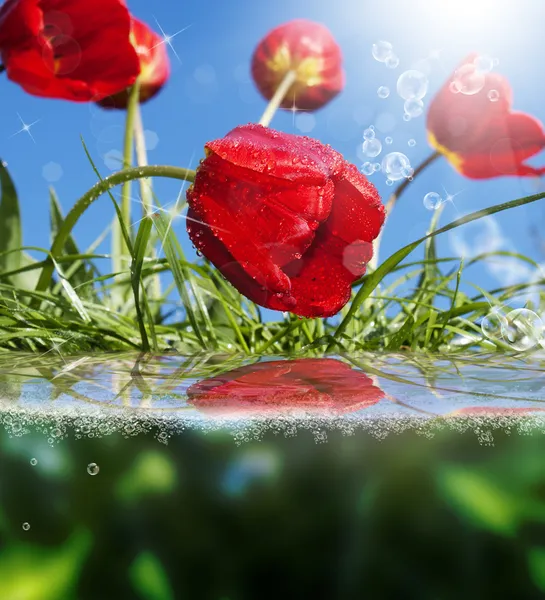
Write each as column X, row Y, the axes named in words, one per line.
column 154, row 65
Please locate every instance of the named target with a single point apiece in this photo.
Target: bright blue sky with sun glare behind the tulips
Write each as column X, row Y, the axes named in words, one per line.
column 210, row 92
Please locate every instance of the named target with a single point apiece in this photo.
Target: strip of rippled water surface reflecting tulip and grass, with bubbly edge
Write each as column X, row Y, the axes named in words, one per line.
column 134, row 393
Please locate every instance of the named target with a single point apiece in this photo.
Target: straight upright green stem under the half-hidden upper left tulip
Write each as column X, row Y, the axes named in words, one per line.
column 120, row 251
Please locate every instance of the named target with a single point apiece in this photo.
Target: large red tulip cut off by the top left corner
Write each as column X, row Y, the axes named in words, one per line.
column 76, row 51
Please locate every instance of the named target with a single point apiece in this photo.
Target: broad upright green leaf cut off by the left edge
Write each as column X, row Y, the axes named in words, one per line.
column 10, row 222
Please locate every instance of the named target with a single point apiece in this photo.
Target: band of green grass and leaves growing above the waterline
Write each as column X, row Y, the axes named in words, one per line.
column 67, row 301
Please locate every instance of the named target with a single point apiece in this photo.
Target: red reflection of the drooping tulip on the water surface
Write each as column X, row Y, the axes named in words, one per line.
column 321, row 386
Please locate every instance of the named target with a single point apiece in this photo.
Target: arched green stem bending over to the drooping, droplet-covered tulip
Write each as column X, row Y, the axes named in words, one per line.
column 90, row 196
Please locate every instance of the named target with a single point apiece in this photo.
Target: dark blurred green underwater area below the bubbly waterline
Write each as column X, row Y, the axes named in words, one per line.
column 203, row 518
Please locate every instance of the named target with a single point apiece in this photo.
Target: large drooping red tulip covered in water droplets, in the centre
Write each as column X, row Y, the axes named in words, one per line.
column 285, row 219
